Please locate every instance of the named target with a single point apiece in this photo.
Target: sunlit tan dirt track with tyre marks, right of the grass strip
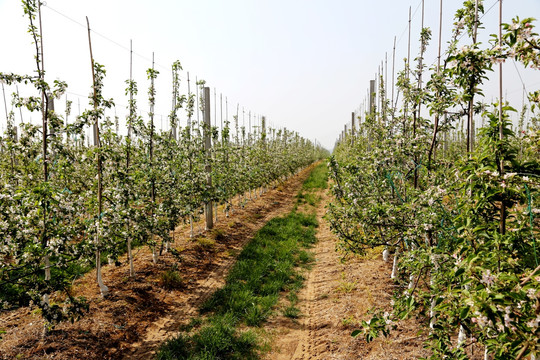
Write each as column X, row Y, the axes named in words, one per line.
column 336, row 297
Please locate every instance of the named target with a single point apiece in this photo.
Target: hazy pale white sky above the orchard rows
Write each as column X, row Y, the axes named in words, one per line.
column 304, row 64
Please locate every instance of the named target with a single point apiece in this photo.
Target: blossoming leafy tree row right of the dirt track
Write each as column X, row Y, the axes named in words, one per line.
column 459, row 214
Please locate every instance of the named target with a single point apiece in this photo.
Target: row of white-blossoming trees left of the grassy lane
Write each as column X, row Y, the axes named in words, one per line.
column 65, row 205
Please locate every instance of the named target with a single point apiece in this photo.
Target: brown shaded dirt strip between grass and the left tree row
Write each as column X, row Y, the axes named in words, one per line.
column 140, row 314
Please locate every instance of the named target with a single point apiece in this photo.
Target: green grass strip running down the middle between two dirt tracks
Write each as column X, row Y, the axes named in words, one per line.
column 266, row 267
